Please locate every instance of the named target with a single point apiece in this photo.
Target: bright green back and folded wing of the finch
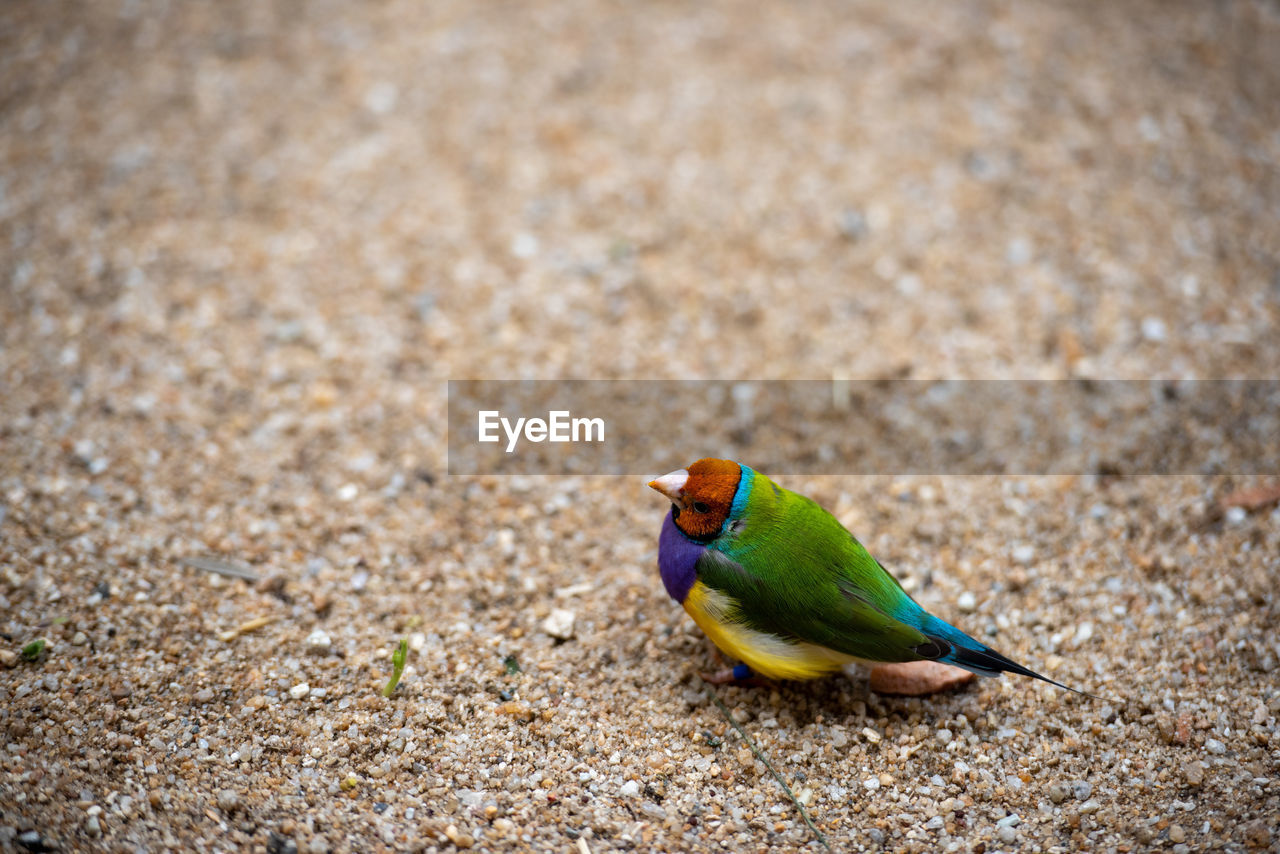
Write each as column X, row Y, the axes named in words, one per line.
column 796, row 572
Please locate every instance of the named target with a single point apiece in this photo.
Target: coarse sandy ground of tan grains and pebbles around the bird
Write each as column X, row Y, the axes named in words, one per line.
column 243, row 246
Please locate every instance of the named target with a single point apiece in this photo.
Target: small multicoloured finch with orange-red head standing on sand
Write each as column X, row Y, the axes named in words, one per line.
column 778, row 583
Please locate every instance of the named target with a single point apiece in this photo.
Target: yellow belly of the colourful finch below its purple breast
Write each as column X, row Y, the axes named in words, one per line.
column 765, row 654
